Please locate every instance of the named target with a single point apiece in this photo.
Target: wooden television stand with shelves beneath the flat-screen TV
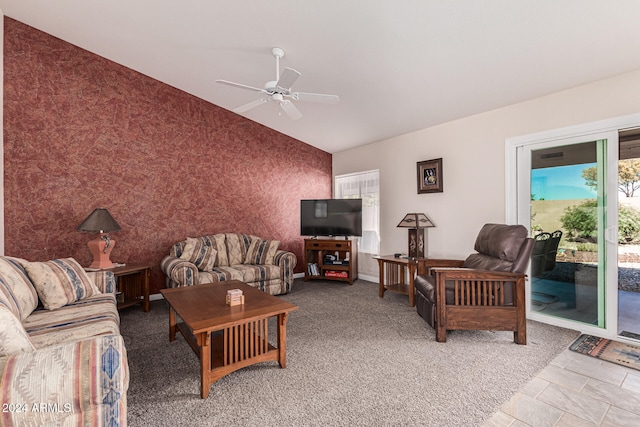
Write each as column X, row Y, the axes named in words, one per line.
column 320, row 266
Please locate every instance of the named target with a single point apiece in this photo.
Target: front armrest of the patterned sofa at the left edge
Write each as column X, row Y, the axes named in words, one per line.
column 67, row 384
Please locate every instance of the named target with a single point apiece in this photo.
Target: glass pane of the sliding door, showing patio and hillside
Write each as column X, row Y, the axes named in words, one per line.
column 568, row 222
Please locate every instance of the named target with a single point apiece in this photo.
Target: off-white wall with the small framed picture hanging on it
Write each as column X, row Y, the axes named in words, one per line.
column 473, row 152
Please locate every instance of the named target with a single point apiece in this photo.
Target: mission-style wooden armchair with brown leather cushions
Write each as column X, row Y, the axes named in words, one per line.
column 484, row 292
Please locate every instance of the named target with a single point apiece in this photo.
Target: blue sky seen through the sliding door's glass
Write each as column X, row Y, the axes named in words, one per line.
column 561, row 183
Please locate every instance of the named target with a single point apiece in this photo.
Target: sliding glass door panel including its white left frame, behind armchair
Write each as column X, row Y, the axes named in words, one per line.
column 564, row 188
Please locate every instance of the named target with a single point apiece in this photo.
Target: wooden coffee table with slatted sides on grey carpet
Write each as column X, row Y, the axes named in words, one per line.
column 243, row 337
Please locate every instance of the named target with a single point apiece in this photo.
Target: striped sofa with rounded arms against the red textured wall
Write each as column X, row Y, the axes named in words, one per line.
column 230, row 256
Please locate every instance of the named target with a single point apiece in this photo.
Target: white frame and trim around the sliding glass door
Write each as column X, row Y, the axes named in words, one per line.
column 518, row 194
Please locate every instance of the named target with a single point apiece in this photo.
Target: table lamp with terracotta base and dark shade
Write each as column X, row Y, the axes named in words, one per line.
column 100, row 221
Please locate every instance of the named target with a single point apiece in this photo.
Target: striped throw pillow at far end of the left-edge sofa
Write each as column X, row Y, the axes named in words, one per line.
column 60, row 282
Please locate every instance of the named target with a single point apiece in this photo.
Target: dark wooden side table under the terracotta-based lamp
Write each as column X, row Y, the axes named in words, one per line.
column 133, row 282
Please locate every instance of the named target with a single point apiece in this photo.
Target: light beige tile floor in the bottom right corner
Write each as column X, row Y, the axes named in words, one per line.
column 575, row 390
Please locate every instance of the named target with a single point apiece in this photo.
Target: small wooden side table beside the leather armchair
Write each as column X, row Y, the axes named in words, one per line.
column 392, row 275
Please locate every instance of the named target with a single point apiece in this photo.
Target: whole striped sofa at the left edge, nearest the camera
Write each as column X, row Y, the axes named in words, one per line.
column 62, row 358
